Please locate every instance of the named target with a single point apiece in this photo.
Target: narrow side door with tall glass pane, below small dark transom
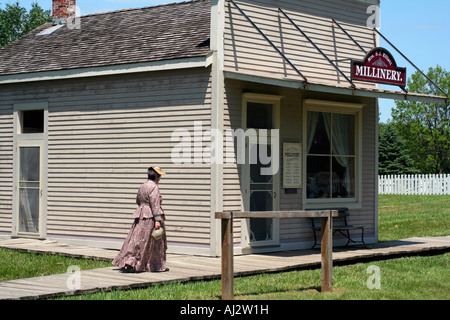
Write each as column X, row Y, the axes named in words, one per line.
column 29, row 189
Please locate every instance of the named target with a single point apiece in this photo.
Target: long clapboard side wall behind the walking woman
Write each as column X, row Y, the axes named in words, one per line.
column 103, row 134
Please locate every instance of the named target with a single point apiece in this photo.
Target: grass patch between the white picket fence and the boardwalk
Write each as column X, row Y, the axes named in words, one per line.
column 401, row 217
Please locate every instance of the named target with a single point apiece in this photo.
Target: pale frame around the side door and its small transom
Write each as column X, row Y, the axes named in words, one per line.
column 30, row 140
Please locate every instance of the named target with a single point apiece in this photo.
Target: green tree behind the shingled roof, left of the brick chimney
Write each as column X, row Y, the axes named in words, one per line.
column 15, row 21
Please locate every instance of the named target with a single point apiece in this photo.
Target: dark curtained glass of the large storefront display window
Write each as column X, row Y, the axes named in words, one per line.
column 330, row 155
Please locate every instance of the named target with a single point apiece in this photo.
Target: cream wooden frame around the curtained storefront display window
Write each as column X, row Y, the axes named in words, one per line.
column 355, row 109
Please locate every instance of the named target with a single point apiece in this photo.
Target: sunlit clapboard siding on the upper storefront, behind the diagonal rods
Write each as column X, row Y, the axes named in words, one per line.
column 246, row 51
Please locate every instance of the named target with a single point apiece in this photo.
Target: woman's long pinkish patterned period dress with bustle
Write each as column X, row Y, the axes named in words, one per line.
column 140, row 251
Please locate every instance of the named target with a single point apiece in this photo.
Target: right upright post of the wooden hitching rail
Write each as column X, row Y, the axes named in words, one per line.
column 326, row 253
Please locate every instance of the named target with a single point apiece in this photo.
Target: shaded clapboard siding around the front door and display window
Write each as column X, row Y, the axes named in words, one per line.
column 299, row 230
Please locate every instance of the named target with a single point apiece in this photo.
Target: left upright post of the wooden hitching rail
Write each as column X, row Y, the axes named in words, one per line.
column 227, row 259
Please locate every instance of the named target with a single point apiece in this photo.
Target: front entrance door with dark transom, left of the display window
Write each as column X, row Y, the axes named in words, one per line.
column 261, row 184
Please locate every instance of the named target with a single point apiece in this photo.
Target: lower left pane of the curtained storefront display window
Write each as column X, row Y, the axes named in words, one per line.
column 318, row 177
